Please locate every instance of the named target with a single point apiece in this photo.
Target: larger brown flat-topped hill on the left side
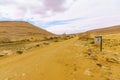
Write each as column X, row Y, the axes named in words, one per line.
column 20, row 29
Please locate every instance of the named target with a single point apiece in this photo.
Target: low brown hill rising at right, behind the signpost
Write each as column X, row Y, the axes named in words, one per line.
column 108, row 30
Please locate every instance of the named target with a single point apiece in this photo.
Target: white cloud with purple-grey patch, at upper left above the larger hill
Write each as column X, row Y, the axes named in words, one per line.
column 33, row 8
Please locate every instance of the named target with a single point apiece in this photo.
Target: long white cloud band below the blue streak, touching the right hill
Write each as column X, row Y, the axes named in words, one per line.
column 84, row 25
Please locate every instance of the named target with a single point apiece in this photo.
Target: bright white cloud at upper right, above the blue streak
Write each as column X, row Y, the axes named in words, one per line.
column 89, row 8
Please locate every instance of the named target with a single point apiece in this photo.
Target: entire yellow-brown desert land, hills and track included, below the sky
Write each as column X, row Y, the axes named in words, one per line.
column 30, row 53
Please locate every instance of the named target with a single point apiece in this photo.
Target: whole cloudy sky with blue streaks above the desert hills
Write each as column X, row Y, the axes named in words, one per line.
column 63, row 16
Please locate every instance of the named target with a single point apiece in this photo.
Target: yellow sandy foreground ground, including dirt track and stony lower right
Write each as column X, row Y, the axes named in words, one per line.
column 59, row 61
